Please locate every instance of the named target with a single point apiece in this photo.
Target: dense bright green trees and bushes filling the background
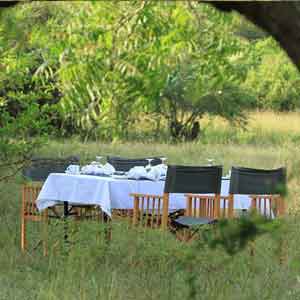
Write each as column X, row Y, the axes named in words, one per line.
column 101, row 69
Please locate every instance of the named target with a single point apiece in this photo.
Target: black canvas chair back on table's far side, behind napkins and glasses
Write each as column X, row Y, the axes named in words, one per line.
column 125, row 164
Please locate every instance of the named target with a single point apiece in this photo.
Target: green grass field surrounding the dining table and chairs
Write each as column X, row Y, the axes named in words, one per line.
column 154, row 265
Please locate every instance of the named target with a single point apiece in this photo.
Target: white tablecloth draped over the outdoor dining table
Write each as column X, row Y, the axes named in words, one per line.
column 111, row 193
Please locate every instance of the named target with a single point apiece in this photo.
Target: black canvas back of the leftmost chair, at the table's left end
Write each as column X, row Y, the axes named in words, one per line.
column 40, row 168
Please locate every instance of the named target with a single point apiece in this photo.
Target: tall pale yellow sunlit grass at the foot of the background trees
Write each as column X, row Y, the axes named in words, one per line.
column 263, row 128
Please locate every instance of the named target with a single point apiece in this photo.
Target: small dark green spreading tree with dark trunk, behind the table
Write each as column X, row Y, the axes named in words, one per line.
column 184, row 103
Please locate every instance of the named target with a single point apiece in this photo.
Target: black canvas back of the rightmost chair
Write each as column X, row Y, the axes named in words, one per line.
column 256, row 181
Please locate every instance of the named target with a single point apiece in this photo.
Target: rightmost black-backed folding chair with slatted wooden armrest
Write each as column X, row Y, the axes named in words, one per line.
column 265, row 187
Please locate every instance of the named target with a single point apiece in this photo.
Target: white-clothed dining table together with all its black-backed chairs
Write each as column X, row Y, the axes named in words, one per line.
column 146, row 192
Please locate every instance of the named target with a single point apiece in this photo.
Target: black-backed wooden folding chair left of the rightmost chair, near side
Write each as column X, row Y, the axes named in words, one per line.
column 182, row 179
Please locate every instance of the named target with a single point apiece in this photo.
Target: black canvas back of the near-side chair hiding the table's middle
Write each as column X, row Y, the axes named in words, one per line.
column 196, row 180
